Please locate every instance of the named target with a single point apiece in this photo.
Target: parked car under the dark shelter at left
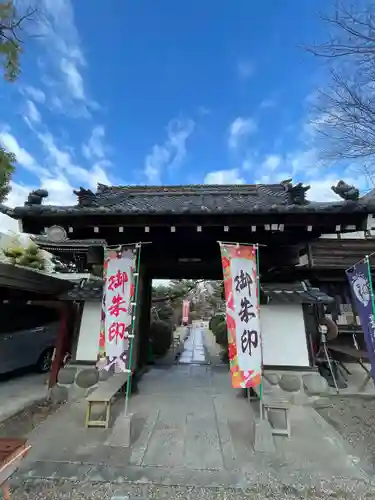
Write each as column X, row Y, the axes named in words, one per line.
column 27, row 337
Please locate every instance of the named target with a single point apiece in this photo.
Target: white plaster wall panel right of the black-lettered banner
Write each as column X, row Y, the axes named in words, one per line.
column 283, row 334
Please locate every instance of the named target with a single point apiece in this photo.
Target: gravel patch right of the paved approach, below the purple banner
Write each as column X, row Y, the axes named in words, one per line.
column 354, row 419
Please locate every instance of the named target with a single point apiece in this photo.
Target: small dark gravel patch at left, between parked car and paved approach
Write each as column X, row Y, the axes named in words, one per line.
column 22, row 423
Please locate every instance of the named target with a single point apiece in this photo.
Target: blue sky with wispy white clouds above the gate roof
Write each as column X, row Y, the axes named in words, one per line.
column 165, row 92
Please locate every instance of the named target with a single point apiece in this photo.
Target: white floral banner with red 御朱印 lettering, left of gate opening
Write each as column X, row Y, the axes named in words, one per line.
column 117, row 309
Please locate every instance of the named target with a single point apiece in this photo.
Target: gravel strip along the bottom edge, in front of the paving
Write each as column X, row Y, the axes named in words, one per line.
column 65, row 490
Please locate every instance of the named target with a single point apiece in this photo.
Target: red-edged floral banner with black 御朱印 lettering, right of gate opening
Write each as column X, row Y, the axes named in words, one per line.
column 239, row 264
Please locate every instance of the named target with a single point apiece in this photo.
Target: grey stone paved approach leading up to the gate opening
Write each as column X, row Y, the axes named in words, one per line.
column 190, row 428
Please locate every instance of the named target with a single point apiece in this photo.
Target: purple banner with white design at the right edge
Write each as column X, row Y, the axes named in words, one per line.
column 361, row 287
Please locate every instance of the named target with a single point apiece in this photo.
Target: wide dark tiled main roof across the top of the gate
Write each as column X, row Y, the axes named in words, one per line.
column 191, row 199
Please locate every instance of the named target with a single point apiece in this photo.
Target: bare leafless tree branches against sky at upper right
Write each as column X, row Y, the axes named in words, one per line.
column 344, row 111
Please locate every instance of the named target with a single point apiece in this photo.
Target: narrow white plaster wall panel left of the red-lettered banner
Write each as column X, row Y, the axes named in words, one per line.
column 88, row 340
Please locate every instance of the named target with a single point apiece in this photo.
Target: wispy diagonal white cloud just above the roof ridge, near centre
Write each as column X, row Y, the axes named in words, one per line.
column 171, row 153
